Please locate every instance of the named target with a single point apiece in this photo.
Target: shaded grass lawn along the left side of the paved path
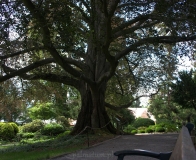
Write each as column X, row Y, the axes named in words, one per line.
column 49, row 149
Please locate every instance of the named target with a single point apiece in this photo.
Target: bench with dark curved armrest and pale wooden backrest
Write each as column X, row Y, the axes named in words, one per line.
column 183, row 150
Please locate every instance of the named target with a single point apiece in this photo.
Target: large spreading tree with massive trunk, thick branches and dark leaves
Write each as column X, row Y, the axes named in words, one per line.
column 81, row 43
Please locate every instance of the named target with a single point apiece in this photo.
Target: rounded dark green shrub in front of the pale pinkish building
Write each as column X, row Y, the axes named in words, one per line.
column 143, row 122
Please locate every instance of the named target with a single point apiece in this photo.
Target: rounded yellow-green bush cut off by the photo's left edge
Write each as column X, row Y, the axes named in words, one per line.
column 6, row 131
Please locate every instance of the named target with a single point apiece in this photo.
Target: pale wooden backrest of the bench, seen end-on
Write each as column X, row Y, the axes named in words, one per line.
column 184, row 148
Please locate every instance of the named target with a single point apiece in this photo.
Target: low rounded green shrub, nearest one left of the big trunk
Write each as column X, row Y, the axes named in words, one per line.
column 52, row 129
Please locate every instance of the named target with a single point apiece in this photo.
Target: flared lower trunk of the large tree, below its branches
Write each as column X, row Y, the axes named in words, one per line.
column 92, row 113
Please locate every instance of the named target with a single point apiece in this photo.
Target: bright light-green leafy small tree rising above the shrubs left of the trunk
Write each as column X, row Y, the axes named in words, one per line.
column 42, row 111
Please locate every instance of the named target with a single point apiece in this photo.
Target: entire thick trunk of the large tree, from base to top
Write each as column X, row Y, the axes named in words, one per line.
column 93, row 112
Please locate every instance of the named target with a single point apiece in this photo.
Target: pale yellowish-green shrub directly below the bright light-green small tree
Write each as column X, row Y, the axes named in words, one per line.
column 33, row 126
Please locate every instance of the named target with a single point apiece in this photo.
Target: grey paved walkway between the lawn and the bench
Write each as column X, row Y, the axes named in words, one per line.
column 105, row 150
